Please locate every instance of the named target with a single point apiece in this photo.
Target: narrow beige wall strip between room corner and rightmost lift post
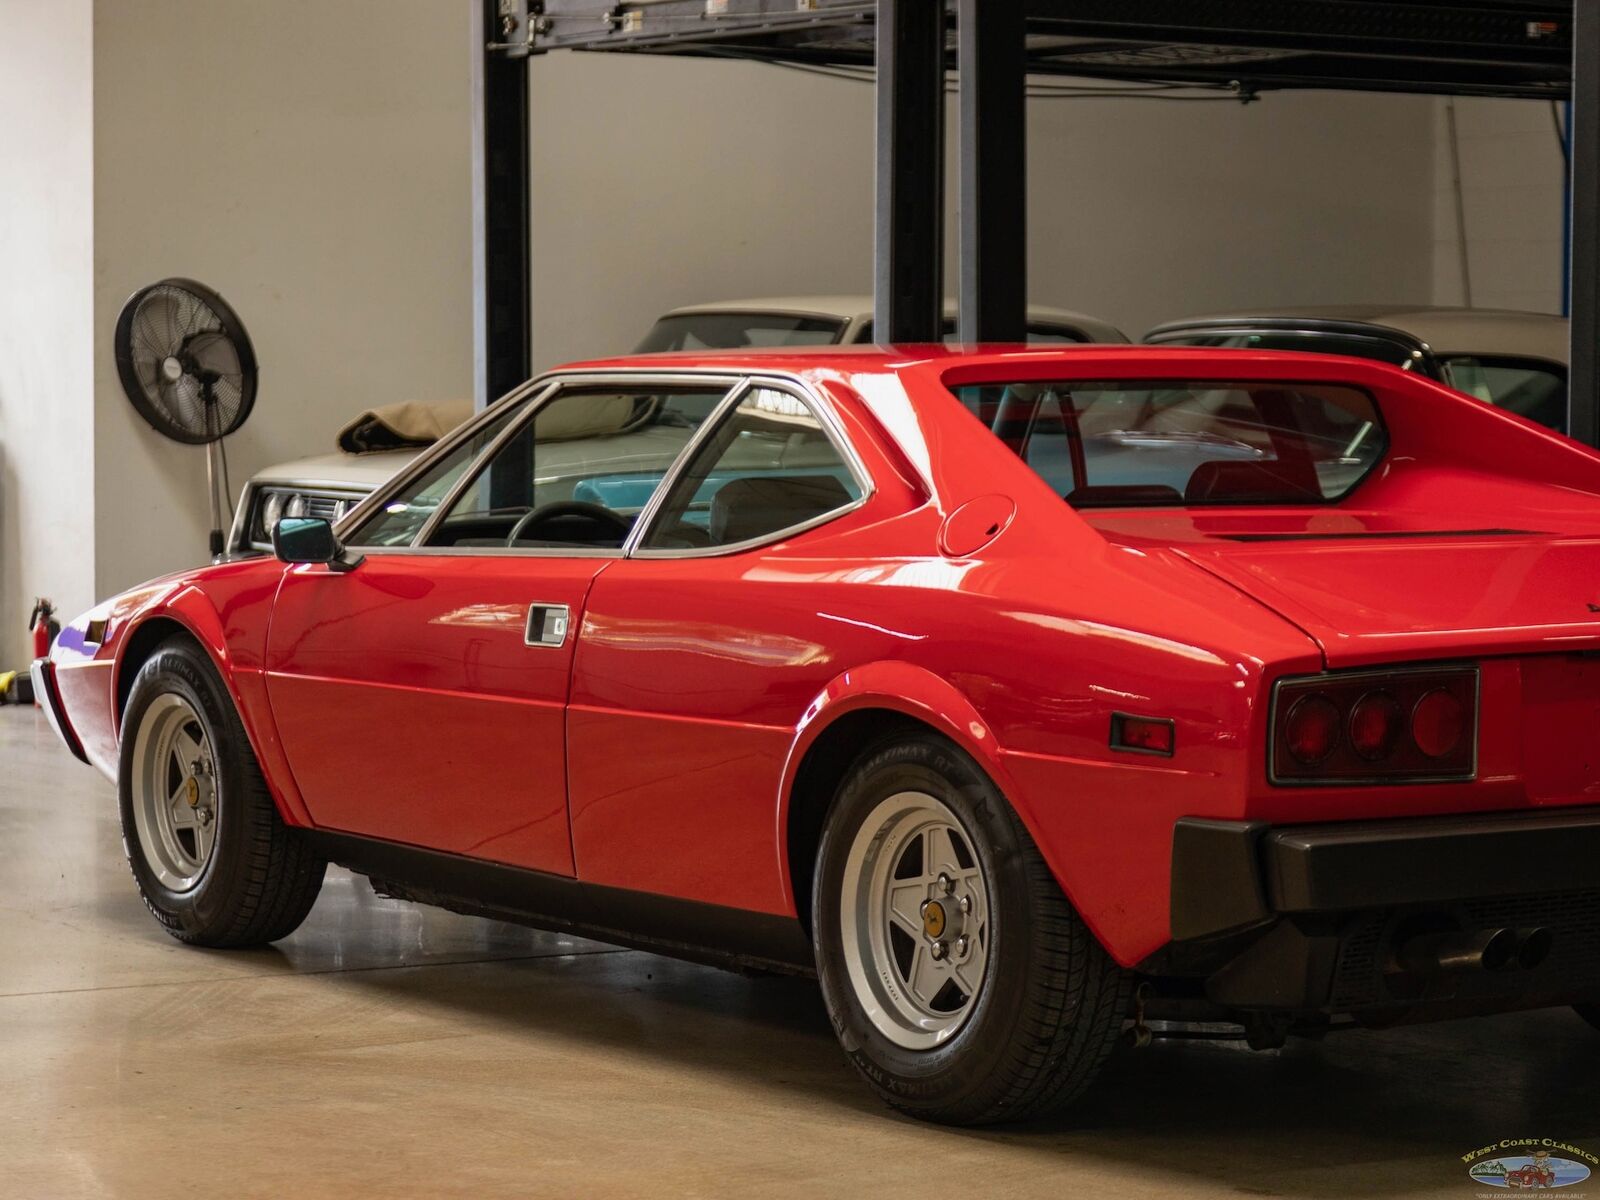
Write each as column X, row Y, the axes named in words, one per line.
column 1511, row 194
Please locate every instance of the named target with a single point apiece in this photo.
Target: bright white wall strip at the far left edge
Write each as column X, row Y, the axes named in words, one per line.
column 47, row 479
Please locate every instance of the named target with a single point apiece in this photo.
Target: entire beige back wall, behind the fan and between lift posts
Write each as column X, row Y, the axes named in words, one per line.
column 313, row 164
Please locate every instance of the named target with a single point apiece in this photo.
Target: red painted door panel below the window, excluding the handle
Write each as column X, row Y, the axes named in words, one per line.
column 452, row 657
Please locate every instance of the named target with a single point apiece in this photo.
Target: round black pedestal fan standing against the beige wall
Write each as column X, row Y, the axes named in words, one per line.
column 190, row 370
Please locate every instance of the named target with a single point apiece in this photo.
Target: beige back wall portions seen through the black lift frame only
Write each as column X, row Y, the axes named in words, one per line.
column 662, row 183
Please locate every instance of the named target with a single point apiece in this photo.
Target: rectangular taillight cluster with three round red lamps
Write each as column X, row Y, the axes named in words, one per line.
column 1401, row 726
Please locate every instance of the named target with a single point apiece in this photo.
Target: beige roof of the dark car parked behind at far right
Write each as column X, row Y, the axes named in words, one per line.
column 1444, row 330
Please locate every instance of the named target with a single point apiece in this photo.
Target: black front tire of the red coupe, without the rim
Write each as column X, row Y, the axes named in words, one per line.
column 262, row 878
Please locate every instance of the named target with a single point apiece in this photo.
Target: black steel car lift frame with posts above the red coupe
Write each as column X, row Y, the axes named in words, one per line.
column 1513, row 49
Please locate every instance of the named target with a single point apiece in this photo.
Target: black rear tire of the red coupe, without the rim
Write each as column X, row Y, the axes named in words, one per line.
column 1052, row 1004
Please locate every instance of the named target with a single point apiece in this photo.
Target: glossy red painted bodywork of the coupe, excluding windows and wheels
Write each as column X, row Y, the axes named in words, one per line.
column 399, row 700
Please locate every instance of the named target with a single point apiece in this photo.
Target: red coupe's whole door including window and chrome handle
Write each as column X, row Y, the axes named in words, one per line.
column 422, row 697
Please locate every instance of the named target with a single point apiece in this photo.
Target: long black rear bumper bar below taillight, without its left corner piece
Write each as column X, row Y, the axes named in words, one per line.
column 1420, row 862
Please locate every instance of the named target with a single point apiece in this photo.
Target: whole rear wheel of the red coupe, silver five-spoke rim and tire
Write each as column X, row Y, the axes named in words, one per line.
column 959, row 978
